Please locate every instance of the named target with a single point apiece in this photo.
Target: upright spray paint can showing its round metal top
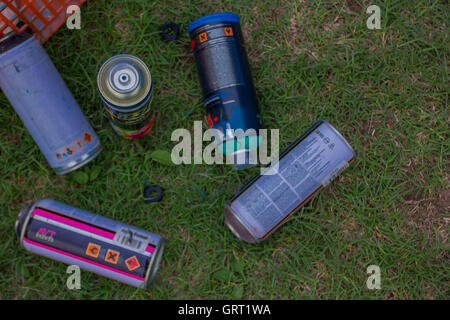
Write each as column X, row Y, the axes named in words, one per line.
column 125, row 85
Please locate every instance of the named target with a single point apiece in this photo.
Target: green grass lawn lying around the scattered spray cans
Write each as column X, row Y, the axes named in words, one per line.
column 385, row 90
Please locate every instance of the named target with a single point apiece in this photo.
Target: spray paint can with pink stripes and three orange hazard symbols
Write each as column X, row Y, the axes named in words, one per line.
column 95, row 243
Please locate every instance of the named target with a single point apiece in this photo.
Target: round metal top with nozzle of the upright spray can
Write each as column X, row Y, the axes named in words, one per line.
column 124, row 80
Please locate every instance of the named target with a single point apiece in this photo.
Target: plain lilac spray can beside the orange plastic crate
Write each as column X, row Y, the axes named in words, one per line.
column 44, row 103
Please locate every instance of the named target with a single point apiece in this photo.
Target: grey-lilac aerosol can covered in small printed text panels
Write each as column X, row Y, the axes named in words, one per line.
column 309, row 164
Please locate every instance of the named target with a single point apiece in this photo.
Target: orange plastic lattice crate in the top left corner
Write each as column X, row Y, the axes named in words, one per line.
column 44, row 17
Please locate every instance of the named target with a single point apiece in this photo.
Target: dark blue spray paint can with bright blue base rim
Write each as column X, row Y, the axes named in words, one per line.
column 228, row 90
